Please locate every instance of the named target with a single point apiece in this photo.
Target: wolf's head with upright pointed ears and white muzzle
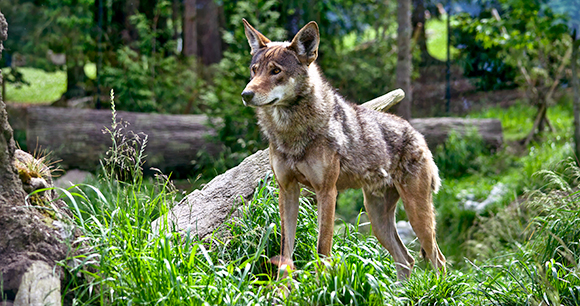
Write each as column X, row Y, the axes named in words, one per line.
column 278, row 69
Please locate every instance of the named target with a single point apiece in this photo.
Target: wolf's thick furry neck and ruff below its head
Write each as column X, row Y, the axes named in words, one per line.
column 291, row 128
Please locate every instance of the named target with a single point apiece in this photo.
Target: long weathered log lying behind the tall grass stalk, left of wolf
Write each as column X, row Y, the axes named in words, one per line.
column 75, row 136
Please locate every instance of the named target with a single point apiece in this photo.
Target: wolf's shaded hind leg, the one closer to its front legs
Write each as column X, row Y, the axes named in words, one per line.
column 381, row 212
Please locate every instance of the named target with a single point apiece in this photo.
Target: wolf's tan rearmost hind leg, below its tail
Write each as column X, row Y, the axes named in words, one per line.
column 417, row 196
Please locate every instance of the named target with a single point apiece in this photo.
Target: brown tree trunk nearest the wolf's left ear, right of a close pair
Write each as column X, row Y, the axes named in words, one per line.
column 208, row 32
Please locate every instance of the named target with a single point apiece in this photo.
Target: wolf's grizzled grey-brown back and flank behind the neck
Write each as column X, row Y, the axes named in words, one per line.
column 379, row 148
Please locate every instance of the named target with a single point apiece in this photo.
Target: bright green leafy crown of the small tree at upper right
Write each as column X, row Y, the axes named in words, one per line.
column 526, row 37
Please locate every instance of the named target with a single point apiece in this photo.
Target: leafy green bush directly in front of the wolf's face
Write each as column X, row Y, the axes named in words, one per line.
column 236, row 124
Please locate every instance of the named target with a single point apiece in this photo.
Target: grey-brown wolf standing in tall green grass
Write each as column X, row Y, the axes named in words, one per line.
column 320, row 140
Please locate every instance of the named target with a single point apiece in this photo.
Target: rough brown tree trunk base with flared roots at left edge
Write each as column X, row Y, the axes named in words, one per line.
column 26, row 236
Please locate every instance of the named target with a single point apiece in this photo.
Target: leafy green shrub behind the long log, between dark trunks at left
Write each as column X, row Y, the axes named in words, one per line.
column 153, row 78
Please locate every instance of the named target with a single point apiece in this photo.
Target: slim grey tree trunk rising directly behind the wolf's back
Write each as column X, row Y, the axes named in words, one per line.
column 404, row 64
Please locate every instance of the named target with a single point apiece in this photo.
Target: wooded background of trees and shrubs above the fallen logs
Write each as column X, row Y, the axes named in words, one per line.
column 191, row 56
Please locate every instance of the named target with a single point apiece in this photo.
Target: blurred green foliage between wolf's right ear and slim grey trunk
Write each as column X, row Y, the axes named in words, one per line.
column 362, row 63
